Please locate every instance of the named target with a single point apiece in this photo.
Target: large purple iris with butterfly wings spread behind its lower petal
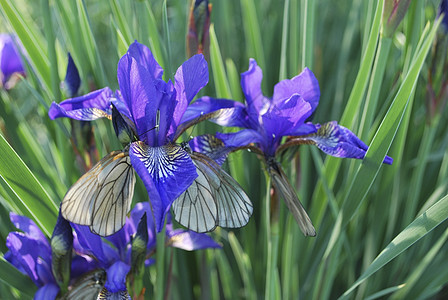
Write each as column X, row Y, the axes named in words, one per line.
column 153, row 109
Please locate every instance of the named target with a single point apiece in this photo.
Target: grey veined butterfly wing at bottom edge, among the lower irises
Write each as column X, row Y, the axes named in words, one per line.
column 88, row 286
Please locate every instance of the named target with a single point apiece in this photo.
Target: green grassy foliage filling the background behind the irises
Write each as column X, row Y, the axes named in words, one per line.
column 381, row 229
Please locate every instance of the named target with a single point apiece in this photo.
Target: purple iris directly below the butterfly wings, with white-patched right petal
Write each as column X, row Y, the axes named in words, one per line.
column 113, row 253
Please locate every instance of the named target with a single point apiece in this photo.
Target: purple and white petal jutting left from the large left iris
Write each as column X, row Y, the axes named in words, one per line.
column 89, row 107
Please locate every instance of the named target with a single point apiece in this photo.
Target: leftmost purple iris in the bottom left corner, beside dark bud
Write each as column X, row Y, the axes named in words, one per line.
column 30, row 252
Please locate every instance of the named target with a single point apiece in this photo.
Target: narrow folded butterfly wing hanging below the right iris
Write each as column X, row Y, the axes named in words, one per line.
column 282, row 185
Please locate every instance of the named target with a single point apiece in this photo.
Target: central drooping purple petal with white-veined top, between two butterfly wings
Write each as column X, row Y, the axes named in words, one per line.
column 167, row 171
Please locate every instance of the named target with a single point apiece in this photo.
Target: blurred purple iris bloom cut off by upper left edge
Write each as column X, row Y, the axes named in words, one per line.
column 10, row 60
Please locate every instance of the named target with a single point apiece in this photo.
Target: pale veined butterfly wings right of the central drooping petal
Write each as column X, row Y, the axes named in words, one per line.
column 213, row 199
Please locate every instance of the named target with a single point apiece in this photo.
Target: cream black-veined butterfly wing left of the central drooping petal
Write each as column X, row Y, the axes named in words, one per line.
column 102, row 197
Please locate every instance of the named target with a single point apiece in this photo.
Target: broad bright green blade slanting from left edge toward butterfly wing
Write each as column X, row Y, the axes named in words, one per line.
column 26, row 187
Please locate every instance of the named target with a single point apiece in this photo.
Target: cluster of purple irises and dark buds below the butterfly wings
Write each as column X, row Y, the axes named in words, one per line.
column 78, row 261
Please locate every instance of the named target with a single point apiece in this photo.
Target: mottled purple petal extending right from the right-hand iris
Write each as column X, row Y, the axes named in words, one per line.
column 336, row 140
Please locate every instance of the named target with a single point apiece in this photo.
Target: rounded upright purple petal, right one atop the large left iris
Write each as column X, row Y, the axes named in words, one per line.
column 190, row 78
